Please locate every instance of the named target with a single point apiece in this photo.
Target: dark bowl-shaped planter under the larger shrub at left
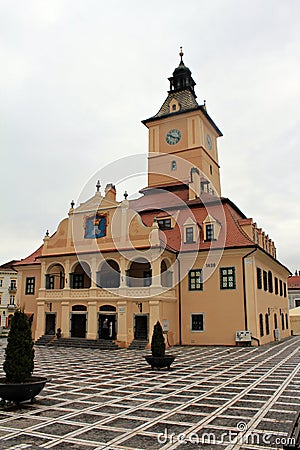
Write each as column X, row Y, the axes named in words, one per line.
column 21, row 392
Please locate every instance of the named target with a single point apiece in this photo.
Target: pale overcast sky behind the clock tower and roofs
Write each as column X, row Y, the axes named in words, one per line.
column 78, row 76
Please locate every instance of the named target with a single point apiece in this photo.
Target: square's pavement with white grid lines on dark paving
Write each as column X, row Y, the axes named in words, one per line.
column 212, row 398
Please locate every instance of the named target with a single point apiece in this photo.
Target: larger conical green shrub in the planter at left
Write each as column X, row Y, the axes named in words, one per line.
column 19, row 353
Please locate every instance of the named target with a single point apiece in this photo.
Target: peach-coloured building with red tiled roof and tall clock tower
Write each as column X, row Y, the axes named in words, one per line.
column 180, row 254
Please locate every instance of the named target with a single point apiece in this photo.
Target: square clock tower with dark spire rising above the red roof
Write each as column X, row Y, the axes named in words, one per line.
column 183, row 137
